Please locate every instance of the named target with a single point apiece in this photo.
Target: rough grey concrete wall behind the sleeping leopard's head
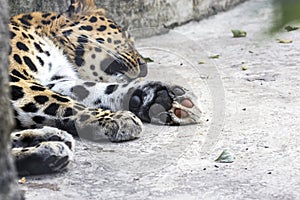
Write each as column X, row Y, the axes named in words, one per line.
column 134, row 14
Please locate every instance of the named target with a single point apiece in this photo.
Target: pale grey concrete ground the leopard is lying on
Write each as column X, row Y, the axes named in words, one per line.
column 253, row 113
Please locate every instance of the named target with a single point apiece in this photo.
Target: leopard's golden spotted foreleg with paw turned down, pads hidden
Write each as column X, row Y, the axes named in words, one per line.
column 37, row 106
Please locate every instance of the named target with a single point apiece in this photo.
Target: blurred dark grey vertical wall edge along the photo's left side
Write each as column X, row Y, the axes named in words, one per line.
column 8, row 184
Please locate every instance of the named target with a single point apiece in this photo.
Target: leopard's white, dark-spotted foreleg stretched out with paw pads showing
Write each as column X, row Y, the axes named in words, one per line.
column 153, row 102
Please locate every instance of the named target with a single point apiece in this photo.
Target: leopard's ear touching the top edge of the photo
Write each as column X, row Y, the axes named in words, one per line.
column 84, row 7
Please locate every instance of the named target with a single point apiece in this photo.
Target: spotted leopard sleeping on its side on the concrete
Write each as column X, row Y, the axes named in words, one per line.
column 77, row 73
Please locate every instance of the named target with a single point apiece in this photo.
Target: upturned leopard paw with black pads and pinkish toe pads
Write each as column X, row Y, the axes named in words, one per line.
column 159, row 103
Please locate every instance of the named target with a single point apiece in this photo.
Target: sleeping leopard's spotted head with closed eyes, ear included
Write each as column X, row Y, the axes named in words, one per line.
column 99, row 48
